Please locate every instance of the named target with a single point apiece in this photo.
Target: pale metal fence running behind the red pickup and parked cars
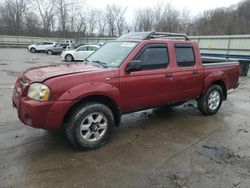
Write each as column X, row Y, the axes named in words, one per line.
column 234, row 46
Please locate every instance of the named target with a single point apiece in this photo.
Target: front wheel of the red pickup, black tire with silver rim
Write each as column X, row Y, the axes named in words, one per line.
column 81, row 114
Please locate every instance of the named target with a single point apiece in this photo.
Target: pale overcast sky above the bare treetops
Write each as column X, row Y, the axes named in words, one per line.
column 195, row 6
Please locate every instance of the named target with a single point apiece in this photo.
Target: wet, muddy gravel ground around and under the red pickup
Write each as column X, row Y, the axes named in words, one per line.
column 163, row 147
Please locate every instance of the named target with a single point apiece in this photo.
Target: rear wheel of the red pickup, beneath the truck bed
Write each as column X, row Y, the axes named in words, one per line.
column 210, row 108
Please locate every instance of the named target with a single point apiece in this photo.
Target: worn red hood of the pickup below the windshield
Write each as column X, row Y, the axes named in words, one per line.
column 40, row 74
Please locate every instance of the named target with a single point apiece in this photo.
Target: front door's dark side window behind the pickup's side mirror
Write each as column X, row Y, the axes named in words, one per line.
column 153, row 56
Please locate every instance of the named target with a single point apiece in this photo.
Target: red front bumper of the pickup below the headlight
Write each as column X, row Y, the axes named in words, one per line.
column 45, row 115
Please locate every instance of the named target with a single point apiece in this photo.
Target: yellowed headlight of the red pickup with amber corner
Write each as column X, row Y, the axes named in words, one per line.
column 39, row 92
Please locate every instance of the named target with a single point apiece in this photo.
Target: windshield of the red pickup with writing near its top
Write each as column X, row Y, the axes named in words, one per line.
column 112, row 54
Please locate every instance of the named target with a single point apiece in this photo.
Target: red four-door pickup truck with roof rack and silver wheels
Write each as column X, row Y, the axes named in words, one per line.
column 137, row 71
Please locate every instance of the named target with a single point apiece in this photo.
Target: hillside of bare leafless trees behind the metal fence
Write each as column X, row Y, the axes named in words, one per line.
column 68, row 18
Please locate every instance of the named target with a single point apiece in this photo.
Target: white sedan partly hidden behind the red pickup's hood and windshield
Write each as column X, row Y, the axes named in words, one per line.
column 80, row 53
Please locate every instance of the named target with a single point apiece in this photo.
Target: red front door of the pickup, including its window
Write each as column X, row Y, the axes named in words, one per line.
column 153, row 84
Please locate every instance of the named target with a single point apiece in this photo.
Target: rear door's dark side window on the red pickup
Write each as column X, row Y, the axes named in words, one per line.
column 184, row 55
